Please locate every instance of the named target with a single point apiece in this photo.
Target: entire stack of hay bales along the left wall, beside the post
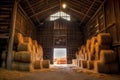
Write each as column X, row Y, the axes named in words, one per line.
column 25, row 57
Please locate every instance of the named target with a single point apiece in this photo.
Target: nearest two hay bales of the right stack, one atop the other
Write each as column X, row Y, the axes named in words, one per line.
column 107, row 62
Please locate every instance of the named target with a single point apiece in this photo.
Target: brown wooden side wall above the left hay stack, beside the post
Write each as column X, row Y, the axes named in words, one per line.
column 24, row 25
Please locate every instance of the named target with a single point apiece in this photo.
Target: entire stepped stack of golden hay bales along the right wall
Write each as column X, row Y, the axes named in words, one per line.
column 96, row 54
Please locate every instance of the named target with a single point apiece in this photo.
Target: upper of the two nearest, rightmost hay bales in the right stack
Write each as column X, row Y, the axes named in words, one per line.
column 107, row 56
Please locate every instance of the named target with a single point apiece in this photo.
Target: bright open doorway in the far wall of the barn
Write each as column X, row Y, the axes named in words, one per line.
column 60, row 56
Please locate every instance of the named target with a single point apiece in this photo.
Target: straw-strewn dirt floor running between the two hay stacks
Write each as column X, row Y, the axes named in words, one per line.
column 57, row 73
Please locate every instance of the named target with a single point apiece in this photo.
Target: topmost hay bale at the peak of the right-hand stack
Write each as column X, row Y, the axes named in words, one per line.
column 104, row 38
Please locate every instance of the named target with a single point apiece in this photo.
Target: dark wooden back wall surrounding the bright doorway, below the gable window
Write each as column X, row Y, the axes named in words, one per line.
column 68, row 33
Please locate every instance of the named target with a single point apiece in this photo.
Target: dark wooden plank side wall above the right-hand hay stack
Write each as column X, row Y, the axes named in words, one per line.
column 107, row 19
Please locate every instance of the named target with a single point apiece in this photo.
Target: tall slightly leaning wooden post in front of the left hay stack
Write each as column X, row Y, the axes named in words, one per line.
column 12, row 32
